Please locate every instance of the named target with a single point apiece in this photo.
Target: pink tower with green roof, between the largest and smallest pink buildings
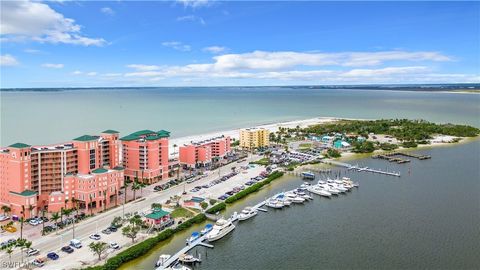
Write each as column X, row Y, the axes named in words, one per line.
column 145, row 155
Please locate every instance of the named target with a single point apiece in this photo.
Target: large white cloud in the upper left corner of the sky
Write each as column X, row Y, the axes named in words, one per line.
column 27, row 20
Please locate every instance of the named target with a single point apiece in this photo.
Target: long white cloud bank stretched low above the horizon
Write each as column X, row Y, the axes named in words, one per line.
column 343, row 67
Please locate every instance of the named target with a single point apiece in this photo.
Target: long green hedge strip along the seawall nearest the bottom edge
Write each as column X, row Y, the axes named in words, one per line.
column 145, row 246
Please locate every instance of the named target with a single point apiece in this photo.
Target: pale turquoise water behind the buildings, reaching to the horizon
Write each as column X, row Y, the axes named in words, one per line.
column 51, row 117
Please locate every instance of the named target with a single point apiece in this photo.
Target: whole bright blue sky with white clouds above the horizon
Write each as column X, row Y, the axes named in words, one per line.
column 205, row 43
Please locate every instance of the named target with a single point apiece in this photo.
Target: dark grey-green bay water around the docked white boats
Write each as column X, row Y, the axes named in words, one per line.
column 426, row 219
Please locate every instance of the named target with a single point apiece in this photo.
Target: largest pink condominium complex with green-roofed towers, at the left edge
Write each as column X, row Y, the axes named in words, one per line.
column 51, row 177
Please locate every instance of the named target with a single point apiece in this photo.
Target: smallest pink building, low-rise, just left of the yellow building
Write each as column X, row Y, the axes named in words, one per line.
column 203, row 152
